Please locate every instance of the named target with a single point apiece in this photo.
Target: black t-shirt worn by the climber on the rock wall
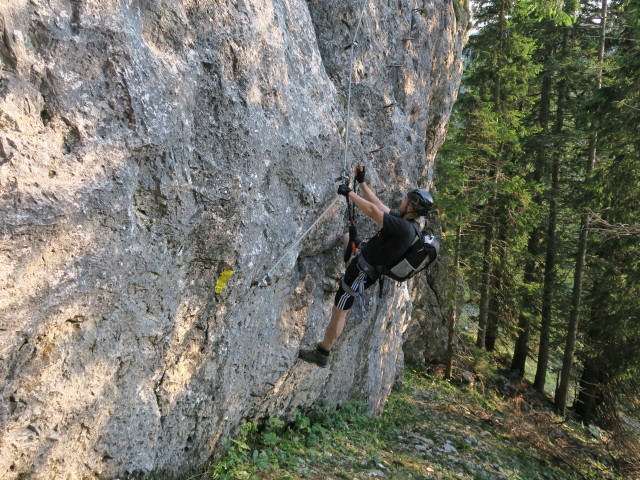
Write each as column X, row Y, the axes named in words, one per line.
column 393, row 240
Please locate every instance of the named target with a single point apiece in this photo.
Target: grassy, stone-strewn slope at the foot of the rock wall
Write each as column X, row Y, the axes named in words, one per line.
column 430, row 428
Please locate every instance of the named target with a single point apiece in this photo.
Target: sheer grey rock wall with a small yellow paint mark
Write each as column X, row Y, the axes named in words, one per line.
column 148, row 147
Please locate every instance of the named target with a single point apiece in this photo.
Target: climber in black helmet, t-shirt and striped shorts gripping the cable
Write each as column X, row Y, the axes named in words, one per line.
column 390, row 243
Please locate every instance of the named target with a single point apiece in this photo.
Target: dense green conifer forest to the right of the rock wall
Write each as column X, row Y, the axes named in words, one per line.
column 538, row 186
